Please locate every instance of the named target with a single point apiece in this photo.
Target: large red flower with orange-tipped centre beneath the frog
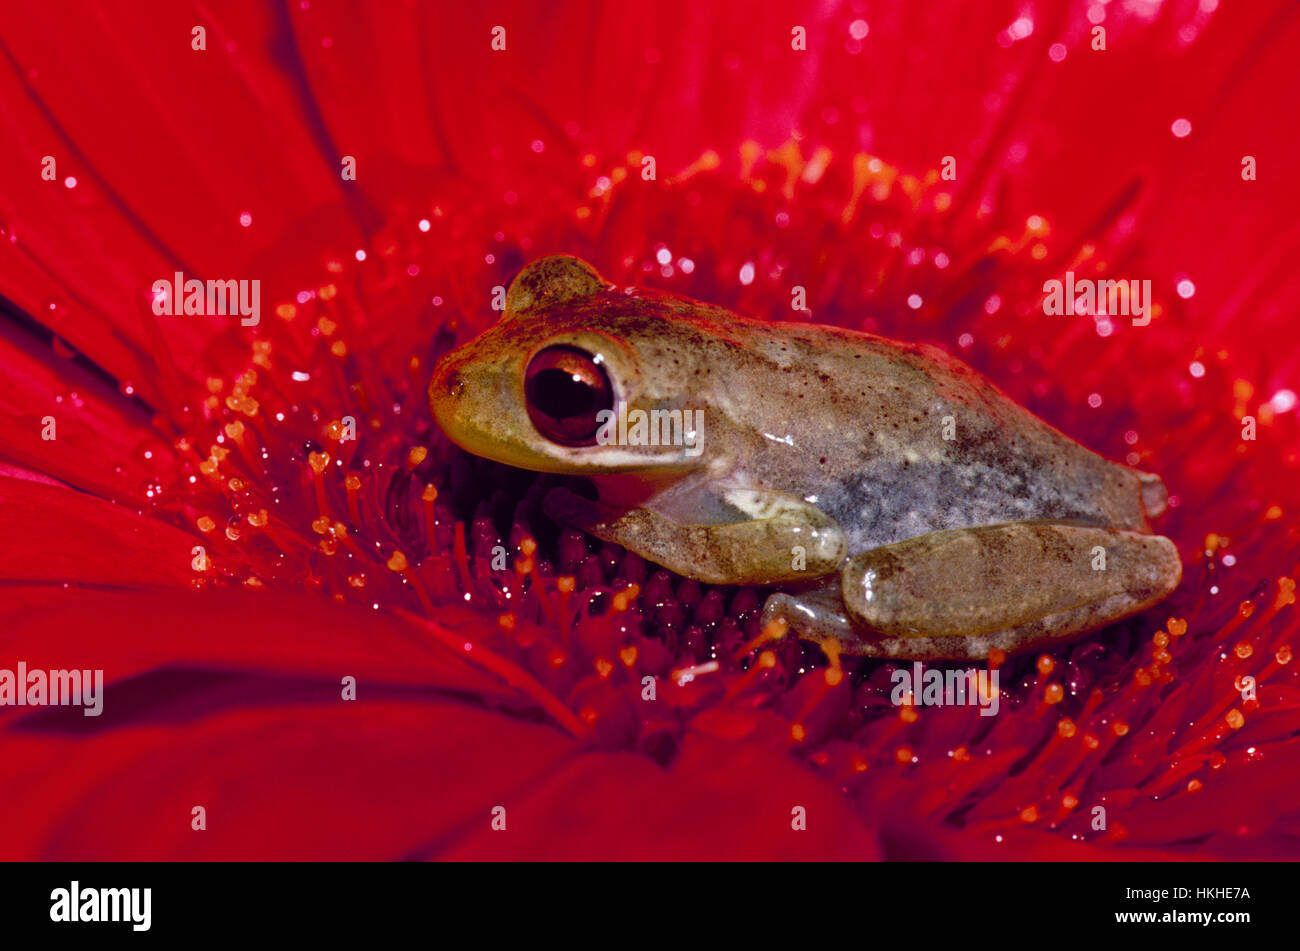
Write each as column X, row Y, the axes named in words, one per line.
column 184, row 507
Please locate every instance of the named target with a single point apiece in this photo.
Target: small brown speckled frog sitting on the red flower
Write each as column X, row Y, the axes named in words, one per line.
column 894, row 501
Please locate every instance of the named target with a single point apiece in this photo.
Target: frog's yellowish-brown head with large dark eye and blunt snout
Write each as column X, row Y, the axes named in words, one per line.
column 544, row 388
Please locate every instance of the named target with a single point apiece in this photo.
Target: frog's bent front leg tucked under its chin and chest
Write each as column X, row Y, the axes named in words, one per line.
column 718, row 536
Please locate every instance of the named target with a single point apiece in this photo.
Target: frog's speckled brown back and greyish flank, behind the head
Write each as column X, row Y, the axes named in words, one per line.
column 896, row 441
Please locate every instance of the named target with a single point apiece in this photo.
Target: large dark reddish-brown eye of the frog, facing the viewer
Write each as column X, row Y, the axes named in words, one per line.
column 566, row 389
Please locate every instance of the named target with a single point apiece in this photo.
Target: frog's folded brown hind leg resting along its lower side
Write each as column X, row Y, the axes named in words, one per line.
column 1017, row 587
